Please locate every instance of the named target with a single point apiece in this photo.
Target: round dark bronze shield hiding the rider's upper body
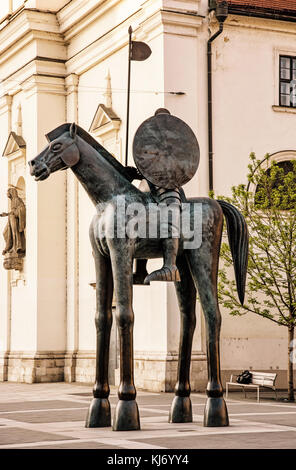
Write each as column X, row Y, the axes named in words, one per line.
column 166, row 151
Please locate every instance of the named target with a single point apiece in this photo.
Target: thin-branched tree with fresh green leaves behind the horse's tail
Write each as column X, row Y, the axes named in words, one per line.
column 268, row 202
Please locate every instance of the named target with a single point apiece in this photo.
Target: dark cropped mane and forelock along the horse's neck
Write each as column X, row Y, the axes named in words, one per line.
column 58, row 131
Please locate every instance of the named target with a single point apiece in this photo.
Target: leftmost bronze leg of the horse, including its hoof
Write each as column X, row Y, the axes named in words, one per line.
column 99, row 414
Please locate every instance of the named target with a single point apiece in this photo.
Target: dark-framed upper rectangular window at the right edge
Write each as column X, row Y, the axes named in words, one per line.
column 288, row 81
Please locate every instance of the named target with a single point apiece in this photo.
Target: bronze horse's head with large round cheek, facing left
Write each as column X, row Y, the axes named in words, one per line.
column 60, row 154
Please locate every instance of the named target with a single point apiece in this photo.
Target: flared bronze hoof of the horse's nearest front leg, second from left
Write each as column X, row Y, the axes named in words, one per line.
column 126, row 417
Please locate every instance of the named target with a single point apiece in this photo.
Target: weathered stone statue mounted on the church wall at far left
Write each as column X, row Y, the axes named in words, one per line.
column 14, row 232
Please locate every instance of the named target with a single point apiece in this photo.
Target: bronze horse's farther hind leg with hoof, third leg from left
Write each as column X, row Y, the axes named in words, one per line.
column 181, row 409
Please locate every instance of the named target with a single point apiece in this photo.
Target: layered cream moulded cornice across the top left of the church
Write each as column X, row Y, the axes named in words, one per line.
column 32, row 25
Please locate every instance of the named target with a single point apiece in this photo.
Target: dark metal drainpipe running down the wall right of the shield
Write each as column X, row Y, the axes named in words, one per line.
column 221, row 12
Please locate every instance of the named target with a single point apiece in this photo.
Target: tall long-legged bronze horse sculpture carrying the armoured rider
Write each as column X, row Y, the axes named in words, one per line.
column 104, row 179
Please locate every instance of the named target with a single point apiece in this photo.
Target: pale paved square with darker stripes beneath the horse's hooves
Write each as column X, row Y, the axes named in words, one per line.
column 51, row 416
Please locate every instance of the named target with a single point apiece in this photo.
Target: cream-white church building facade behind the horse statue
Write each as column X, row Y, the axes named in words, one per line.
column 66, row 61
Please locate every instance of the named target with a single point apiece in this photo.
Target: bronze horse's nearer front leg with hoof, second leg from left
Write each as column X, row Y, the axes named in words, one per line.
column 126, row 417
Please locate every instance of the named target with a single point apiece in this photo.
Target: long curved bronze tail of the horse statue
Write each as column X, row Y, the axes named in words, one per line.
column 238, row 237
